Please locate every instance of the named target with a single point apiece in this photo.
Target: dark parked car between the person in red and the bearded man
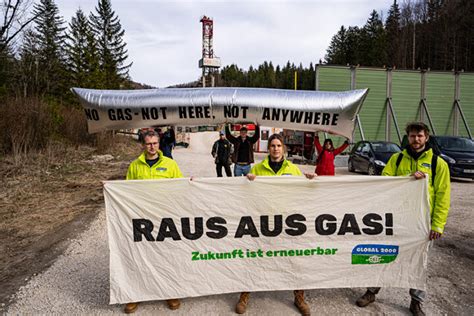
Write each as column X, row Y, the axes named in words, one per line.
column 371, row 156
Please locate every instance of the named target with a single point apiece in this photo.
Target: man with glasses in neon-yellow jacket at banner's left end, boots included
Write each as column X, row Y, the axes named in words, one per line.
column 152, row 164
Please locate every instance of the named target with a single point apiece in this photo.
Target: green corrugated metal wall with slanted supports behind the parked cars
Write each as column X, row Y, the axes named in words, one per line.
column 406, row 95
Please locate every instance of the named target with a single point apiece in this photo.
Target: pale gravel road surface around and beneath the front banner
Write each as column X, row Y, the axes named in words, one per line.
column 78, row 282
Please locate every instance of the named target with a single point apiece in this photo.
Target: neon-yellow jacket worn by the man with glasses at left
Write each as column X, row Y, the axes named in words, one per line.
column 162, row 169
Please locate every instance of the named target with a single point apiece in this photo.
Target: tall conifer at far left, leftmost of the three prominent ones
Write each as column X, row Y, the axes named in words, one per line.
column 50, row 40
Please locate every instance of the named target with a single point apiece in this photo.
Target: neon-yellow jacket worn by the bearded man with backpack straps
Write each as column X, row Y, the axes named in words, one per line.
column 440, row 192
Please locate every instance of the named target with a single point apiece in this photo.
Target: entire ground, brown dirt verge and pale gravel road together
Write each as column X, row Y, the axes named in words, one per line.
column 60, row 270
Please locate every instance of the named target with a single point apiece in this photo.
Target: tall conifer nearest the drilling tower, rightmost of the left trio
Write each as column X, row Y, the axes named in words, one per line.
column 111, row 47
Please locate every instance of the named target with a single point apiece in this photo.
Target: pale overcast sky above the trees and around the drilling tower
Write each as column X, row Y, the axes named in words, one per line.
column 164, row 37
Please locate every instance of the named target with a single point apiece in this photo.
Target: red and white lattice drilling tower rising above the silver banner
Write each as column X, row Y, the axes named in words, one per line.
column 209, row 63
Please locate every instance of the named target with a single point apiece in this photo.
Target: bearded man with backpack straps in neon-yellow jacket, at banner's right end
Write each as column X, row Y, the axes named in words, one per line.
column 417, row 161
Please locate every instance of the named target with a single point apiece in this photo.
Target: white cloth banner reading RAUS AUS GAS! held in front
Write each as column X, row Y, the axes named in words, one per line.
column 178, row 238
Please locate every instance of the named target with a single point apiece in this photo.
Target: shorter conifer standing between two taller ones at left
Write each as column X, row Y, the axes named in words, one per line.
column 83, row 59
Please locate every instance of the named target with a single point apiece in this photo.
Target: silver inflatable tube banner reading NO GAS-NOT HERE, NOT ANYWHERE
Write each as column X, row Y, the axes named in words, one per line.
column 332, row 112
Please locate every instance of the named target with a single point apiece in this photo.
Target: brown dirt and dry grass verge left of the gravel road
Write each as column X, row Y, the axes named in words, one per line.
column 47, row 199
